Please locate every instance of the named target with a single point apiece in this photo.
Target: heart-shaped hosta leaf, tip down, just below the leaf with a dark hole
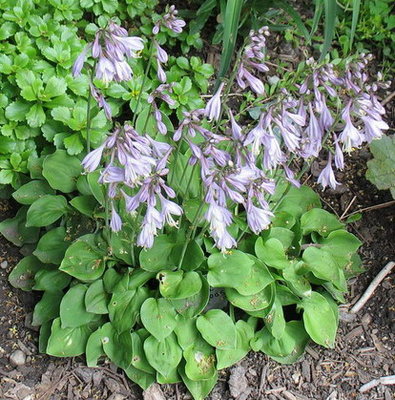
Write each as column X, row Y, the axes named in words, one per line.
column 158, row 317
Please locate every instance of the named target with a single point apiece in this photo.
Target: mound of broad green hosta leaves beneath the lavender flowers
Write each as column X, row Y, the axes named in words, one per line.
column 165, row 322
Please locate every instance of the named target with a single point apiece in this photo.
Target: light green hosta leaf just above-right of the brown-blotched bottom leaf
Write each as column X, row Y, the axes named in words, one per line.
column 217, row 329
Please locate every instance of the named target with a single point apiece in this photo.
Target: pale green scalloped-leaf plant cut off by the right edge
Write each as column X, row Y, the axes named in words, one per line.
column 381, row 170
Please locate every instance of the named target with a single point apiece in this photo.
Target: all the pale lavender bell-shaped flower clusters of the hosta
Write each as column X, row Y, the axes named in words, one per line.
column 333, row 111
